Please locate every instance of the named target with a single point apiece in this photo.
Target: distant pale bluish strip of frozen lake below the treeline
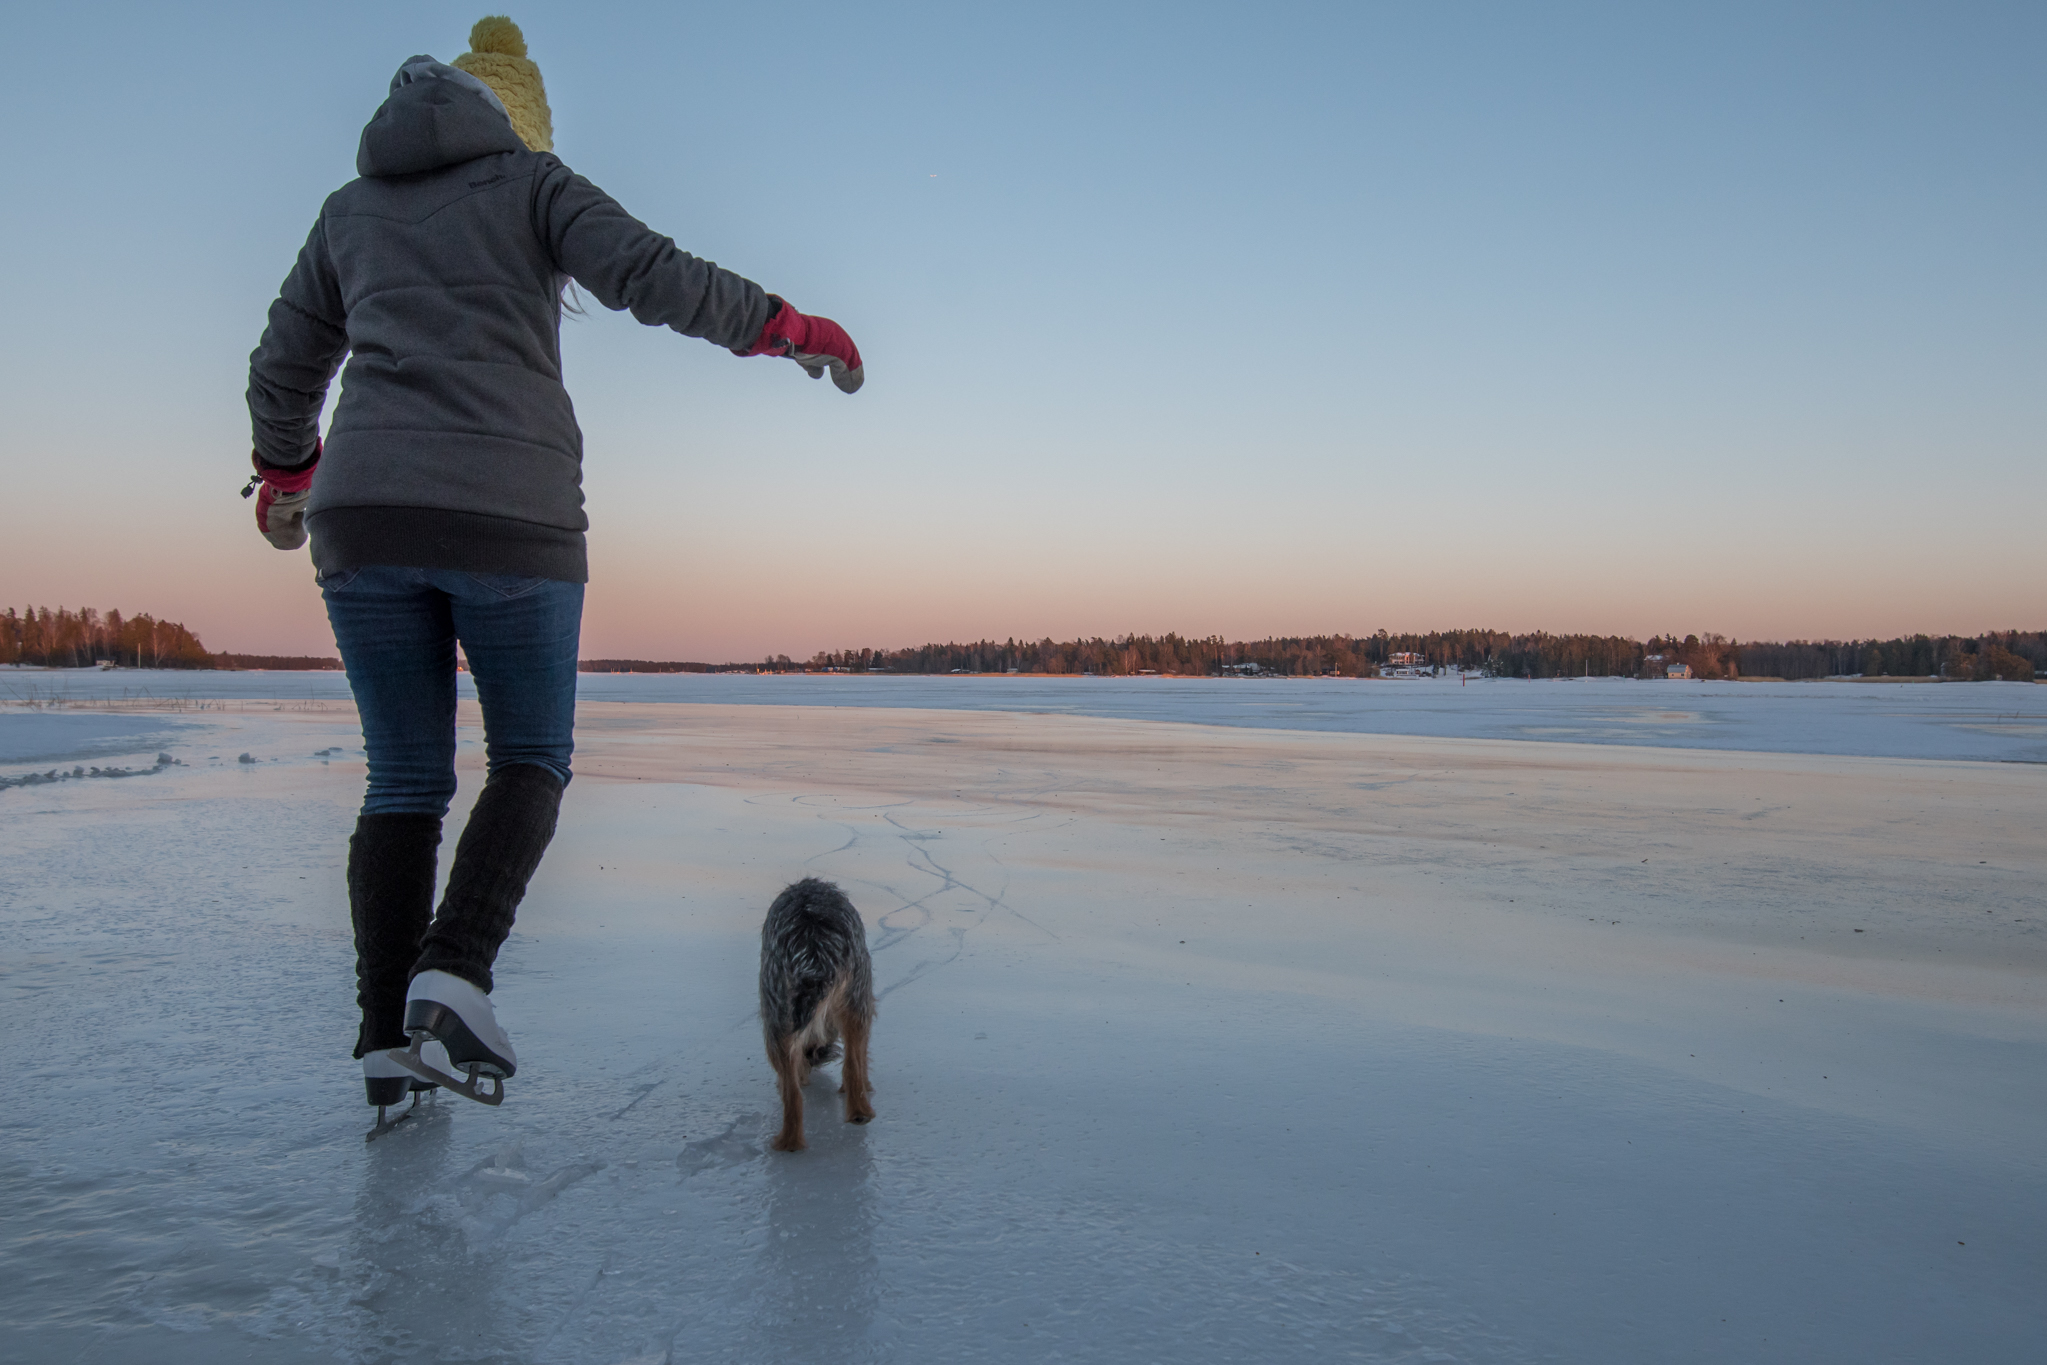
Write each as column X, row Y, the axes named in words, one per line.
column 1927, row 721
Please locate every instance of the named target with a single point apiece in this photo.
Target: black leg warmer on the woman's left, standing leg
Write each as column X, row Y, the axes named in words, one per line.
column 390, row 901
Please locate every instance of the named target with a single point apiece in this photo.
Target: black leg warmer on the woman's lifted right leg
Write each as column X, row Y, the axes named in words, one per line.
column 507, row 836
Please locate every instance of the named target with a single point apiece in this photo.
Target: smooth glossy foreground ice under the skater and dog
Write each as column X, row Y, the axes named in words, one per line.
column 1196, row 1045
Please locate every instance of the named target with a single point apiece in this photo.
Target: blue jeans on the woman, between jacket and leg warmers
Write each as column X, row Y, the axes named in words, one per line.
column 398, row 629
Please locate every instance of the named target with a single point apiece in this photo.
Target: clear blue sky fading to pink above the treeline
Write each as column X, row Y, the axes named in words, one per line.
column 1287, row 318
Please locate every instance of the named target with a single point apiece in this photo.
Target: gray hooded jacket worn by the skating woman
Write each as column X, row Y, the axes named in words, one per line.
column 439, row 275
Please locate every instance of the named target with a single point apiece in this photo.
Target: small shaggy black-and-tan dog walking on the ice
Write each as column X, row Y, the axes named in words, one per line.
column 818, row 987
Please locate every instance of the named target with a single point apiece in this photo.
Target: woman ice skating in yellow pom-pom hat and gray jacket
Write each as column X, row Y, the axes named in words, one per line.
column 447, row 507
